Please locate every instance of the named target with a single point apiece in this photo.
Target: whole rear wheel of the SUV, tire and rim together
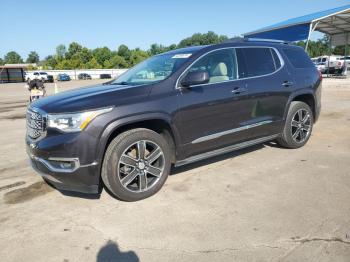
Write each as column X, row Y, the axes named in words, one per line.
column 290, row 138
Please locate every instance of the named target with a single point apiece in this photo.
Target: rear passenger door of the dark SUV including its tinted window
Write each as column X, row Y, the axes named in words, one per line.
column 269, row 85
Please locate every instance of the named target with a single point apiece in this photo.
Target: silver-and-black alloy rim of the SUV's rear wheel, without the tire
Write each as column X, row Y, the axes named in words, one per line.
column 301, row 125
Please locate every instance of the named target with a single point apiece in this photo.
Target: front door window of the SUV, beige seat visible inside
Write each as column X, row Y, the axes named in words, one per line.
column 220, row 65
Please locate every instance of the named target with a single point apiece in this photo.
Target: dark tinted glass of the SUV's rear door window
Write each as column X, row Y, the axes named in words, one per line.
column 256, row 62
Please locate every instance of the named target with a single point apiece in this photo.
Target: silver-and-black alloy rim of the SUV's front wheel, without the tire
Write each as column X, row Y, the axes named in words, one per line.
column 140, row 166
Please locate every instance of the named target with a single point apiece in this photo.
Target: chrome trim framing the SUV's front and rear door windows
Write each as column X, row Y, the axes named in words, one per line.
column 177, row 86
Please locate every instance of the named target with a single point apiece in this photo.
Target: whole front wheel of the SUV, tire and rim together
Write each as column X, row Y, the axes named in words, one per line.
column 136, row 181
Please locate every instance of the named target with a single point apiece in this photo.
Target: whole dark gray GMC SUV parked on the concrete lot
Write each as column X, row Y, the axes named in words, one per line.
column 174, row 108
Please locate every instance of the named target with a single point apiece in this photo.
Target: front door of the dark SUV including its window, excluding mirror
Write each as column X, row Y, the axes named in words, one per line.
column 211, row 114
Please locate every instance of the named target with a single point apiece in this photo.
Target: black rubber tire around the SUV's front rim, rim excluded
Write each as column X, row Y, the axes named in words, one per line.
column 113, row 154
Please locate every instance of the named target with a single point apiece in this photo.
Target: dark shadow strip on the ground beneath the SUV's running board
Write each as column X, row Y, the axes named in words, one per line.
column 182, row 169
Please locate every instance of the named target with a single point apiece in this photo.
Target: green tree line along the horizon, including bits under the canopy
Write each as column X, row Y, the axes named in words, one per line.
column 76, row 56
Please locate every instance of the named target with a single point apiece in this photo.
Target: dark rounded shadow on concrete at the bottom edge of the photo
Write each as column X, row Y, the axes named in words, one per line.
column 111, row 252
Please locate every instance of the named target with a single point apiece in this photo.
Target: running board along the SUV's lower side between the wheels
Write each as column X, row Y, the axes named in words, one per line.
column 224, row 150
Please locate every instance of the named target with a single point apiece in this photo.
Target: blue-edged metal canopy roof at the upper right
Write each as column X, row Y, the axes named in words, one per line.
column 333, row 22
